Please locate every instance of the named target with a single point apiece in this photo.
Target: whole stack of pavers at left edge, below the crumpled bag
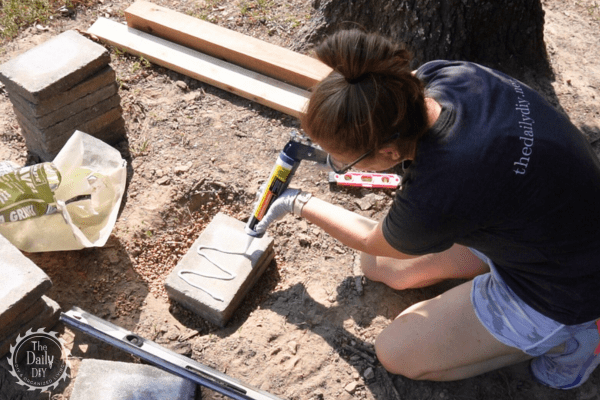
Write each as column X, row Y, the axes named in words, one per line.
column 23, row 305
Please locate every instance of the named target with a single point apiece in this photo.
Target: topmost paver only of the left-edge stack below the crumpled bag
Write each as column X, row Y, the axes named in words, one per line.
column 23, row 283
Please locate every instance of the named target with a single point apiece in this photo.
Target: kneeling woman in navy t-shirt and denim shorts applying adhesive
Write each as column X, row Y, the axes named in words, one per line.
column 501, row 188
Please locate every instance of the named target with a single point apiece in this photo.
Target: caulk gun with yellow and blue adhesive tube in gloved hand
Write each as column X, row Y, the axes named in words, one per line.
column 297, row 149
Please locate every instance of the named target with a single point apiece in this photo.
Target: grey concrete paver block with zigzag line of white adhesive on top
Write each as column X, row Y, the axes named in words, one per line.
column 225, row 233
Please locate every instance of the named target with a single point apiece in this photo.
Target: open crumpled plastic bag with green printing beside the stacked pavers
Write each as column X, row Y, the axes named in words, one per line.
column 68, row 204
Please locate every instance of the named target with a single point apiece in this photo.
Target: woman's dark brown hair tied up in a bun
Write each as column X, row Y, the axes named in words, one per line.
column 370, row 95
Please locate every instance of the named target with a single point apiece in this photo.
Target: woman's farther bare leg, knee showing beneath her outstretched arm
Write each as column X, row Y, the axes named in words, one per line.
column 456, row 262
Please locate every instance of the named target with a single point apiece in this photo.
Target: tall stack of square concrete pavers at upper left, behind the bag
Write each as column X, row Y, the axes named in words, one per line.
column 60, row 86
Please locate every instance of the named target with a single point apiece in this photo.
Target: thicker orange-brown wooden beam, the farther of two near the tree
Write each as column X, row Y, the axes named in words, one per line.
column 248, row 52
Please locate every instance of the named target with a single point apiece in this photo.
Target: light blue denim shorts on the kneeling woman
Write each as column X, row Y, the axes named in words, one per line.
column 513, row 322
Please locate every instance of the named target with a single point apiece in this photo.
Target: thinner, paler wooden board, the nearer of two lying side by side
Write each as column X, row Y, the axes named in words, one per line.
column 248, row 84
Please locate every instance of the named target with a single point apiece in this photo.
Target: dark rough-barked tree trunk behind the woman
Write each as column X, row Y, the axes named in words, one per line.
column 507, row 35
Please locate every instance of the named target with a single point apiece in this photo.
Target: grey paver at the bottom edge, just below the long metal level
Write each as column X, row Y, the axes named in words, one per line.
column 114, row 380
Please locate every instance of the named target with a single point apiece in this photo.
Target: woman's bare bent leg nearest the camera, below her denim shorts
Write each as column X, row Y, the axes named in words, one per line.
column 442, row 339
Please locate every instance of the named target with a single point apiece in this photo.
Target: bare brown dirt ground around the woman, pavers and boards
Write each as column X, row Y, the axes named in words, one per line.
column 307, row 329
